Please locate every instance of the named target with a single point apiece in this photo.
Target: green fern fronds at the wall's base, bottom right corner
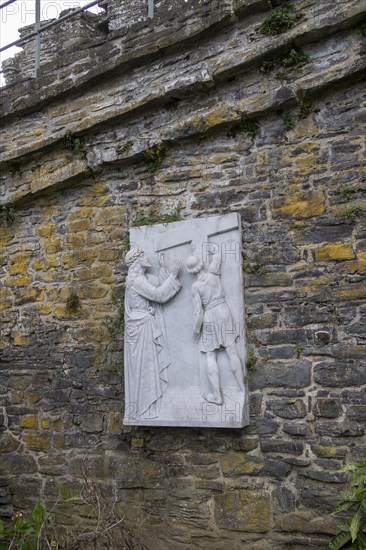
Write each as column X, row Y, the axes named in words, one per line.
column 351, row 534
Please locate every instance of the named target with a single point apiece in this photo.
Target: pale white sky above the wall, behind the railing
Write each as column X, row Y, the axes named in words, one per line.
column 22, row 13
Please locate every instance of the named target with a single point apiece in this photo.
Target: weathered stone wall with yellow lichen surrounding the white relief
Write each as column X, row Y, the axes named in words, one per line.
column 236, row 125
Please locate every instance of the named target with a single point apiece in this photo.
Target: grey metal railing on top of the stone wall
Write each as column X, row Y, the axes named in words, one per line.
column 38, row 28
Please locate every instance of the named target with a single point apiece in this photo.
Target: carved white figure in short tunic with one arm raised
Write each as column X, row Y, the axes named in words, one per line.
column 213, row 323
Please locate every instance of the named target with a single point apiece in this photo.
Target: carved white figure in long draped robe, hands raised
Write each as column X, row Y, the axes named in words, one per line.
column 146, row 351
